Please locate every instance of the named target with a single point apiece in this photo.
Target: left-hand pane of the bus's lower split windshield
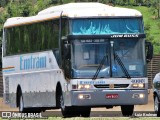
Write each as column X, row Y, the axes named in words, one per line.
column 87, row 55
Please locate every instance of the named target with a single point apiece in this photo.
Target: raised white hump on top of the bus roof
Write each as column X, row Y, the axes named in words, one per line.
column 90, row 9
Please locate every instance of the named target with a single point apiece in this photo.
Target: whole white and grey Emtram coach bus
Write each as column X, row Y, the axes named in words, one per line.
column 66, row 57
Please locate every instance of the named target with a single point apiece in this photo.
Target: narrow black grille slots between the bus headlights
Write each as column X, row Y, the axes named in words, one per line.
column 115, row 86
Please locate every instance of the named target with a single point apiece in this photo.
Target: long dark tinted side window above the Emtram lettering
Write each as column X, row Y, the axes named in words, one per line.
column 32, row 38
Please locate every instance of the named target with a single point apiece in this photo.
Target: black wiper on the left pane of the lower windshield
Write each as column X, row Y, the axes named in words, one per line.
column 100, row 67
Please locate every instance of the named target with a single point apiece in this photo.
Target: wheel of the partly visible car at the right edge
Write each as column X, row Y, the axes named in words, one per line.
column 157, row 106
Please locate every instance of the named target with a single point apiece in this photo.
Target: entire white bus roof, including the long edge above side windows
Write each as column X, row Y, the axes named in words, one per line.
column 73, row 10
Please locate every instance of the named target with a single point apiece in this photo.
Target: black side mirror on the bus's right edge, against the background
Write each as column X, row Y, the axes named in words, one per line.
column 149, row 51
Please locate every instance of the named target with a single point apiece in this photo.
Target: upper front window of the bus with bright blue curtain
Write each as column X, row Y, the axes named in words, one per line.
column 96, row 26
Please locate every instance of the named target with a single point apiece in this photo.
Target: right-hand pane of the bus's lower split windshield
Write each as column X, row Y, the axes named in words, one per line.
column 131, row 54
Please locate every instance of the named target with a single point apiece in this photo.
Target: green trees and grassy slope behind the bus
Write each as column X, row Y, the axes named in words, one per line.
column 149, row 8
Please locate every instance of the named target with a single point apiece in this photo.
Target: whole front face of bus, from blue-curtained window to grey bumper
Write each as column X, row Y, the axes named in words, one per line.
column 96, row 65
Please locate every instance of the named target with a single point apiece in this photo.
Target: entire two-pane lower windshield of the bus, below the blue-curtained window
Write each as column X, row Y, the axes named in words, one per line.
column 87, row 55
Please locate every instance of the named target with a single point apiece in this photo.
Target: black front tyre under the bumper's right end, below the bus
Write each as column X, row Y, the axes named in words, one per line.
column 127, row 110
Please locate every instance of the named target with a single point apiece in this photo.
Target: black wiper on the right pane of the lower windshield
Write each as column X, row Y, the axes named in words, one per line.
column 121, row 65
